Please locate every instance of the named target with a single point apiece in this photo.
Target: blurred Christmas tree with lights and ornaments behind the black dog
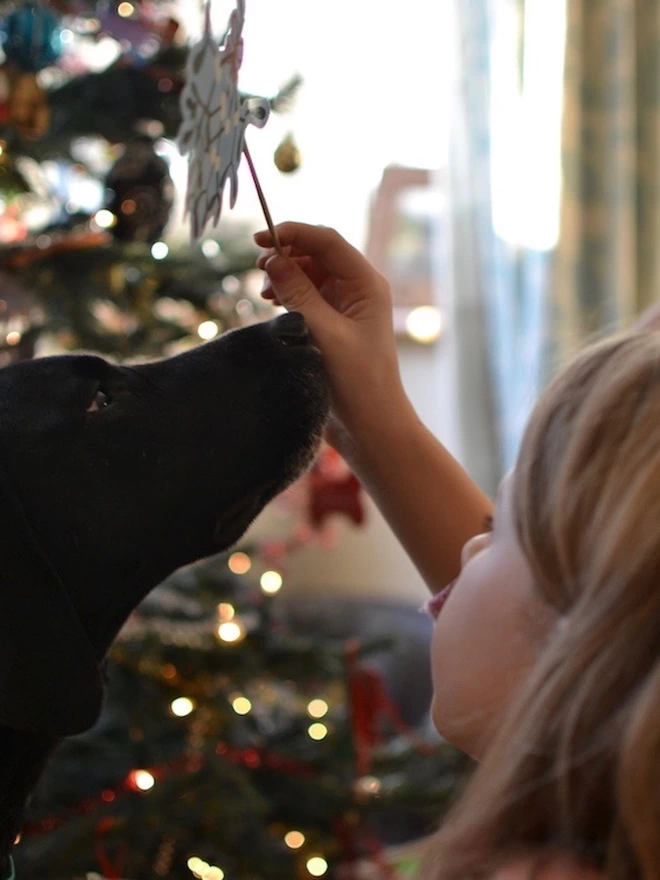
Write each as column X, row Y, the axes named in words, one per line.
column 232, row 743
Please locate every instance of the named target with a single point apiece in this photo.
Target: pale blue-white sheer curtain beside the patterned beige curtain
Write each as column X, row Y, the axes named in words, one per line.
column 503, row 195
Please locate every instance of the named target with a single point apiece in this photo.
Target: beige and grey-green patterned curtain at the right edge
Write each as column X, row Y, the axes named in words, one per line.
column 608, row 259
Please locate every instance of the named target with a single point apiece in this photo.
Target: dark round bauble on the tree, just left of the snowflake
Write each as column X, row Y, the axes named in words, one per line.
column 141, row 192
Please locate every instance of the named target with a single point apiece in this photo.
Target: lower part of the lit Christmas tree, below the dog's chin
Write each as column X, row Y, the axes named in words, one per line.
column 233, row 745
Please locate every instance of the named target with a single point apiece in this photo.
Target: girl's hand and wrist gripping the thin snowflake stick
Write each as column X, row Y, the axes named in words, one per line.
column 347, row 306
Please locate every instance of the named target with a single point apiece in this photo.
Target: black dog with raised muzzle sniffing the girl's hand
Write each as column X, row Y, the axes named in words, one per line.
column 112, row 477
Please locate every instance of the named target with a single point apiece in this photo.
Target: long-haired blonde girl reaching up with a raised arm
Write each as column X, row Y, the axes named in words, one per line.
column 546, row 650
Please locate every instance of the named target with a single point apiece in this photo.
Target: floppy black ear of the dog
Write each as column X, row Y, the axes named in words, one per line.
column 50, row 681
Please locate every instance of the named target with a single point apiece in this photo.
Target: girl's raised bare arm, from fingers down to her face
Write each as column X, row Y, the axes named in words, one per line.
column 429, row 501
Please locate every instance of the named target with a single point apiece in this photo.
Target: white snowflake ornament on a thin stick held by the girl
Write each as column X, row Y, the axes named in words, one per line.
column 214, row 120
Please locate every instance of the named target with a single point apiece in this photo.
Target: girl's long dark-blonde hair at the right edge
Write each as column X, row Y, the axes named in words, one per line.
column 575, row 766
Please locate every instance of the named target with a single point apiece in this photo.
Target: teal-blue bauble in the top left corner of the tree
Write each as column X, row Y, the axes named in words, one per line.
column 31, row 37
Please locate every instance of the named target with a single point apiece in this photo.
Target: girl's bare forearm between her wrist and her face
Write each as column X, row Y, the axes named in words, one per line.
column 428, row 499
